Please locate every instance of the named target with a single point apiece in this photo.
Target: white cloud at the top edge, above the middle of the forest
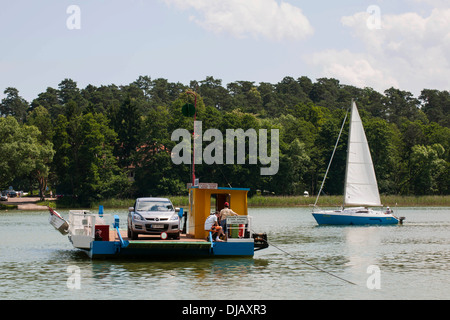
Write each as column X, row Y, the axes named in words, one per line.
column 249, row 18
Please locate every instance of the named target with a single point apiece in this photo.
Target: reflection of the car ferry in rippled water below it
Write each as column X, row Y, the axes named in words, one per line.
column 175, row 280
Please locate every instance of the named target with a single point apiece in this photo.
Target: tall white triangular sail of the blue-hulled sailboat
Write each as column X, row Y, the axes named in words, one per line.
column 361, row 188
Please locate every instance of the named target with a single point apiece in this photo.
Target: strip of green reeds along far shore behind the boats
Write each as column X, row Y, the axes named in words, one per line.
column 299, row 201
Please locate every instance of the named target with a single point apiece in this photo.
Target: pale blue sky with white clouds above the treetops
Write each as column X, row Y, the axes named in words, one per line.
column 378, row 44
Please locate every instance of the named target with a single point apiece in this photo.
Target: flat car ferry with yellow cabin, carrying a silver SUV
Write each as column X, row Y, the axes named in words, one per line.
column 166, row 232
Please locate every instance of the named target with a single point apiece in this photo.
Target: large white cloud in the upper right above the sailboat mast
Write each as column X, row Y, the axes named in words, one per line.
column 409, row 51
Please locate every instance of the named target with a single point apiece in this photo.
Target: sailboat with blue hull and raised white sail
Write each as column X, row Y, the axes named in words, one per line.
column 361, row 188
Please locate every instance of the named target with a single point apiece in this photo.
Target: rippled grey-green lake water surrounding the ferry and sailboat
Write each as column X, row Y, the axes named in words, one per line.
column 413, row 262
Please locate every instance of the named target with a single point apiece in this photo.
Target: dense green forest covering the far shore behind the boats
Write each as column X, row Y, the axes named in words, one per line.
column 115, row 141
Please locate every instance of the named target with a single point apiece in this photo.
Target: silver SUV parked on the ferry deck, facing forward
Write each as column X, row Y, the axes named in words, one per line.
column 153, row 216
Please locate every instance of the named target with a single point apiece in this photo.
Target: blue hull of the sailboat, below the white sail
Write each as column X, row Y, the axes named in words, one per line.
column 328, row 218
